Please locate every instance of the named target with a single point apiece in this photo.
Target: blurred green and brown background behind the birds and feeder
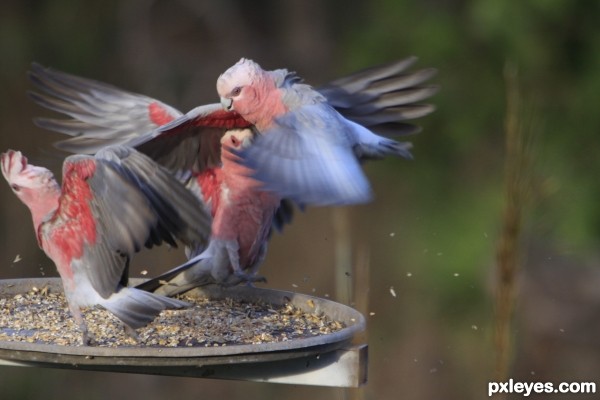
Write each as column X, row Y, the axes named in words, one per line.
column 432, row 231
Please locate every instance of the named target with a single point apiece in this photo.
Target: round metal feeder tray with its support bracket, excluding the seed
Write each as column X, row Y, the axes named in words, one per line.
column 324, row 360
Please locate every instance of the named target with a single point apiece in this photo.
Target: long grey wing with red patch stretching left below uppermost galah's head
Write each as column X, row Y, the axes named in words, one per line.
column 103, row 115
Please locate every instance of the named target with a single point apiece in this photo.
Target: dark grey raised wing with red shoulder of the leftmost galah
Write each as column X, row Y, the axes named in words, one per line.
column 127, row 201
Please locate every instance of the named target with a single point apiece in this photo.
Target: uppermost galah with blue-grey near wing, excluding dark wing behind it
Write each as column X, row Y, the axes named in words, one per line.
column 306, row 150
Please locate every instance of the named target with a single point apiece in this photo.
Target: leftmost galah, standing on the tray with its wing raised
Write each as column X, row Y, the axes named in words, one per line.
column 109, row 206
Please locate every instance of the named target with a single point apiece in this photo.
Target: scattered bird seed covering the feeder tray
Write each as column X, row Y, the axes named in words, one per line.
column 43, row 317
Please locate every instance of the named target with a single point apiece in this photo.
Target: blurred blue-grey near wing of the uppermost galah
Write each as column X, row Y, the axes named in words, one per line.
column 307, row 156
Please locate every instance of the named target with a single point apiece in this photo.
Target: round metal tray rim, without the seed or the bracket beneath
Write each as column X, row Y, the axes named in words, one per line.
column 176, row 361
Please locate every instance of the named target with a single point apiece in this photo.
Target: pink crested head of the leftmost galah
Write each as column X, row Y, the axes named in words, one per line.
column 25, row 180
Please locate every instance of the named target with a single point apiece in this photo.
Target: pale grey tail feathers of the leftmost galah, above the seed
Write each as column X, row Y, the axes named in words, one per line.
column 137, row 308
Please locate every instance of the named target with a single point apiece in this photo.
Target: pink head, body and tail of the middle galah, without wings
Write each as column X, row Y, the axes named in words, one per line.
column 242, row 219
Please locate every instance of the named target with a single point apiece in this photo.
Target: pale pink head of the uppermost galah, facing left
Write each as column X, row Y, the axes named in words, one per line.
column 239, row 87
